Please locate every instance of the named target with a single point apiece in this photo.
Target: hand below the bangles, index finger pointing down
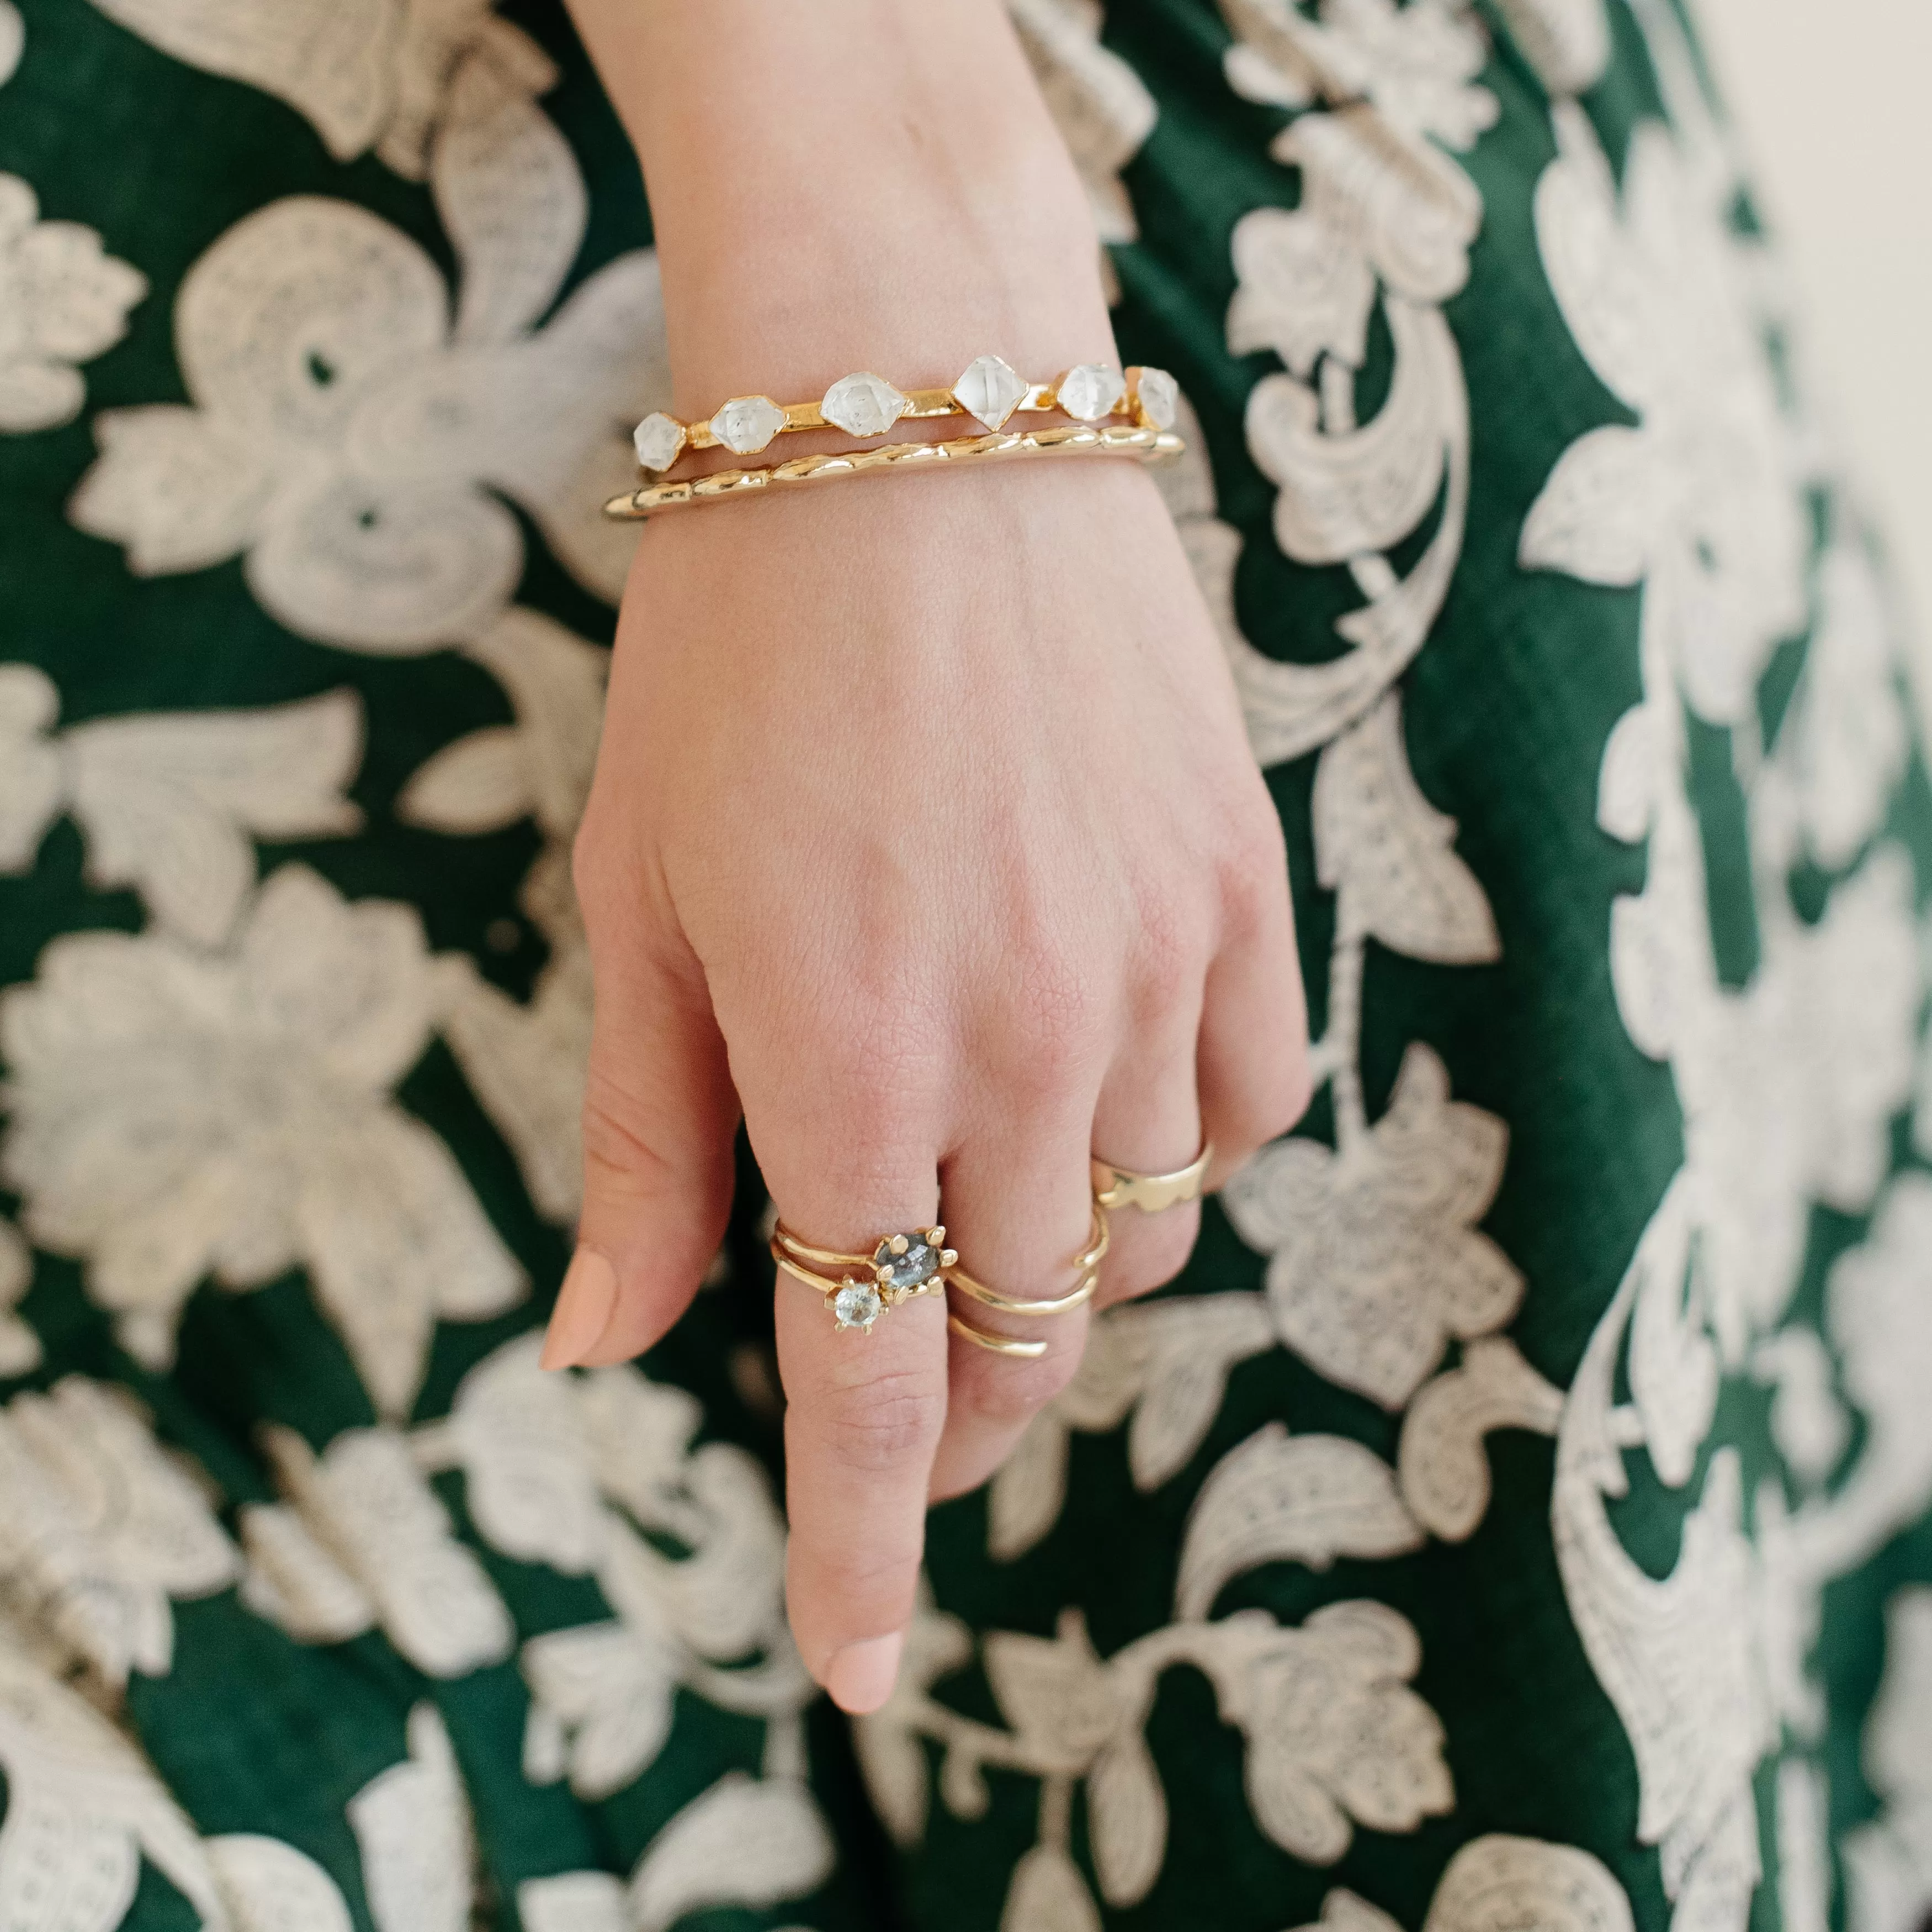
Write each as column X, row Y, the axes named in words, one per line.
column 924, row 826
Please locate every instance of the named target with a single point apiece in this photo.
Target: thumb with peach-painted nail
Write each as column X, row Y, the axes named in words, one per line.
column 660, row 1114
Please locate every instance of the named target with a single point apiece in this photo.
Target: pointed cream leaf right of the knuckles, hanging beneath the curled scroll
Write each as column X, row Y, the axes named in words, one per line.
column 1390, row 853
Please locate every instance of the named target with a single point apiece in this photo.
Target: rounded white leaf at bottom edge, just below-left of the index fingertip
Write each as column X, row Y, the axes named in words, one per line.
column 741, row 1844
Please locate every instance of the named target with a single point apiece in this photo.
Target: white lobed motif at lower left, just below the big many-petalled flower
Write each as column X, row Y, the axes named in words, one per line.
column 366, row 1543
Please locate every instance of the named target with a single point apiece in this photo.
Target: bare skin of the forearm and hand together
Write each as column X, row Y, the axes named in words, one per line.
column 924, row 826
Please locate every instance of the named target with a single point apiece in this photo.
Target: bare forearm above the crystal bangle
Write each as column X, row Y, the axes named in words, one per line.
column 847, row 185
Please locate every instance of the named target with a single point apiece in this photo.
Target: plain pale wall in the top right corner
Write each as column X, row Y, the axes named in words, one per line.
column 1833, row 99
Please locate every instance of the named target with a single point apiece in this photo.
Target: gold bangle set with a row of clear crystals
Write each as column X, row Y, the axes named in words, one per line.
column 865, row 405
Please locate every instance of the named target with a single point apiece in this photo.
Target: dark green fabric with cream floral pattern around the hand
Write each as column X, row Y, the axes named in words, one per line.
column 1520, row 1516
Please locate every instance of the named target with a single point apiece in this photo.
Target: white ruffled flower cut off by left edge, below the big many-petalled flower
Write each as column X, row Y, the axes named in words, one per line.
column 99, row 1533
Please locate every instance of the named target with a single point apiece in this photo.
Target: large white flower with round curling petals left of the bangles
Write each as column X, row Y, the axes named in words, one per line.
column 353, row 441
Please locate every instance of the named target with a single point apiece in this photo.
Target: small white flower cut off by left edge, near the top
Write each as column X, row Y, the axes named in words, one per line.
column 63, row 302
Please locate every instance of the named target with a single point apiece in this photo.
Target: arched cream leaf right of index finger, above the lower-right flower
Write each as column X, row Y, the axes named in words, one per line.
column 1290, row 1500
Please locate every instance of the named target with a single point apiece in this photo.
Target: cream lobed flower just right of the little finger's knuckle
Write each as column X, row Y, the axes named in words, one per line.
column 1377, row 1257
